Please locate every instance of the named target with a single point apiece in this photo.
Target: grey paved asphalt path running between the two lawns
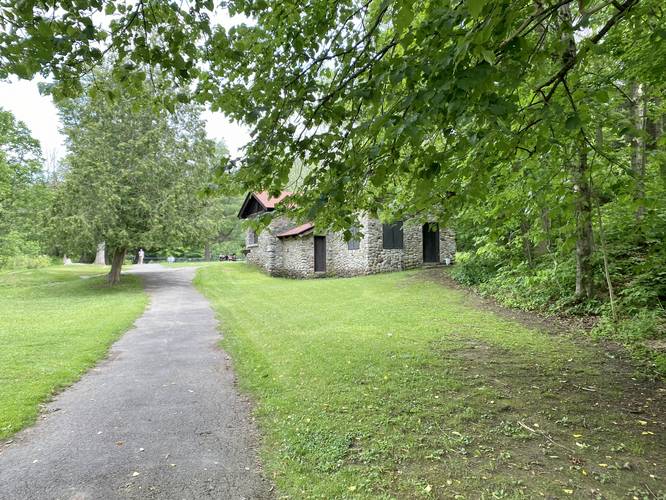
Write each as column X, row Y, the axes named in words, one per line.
column 160, row 418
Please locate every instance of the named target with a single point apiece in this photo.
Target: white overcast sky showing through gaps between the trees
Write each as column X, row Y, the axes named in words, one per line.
column 38, row 112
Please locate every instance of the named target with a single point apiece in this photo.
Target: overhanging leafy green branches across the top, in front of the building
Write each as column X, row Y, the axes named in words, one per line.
column 393, row 105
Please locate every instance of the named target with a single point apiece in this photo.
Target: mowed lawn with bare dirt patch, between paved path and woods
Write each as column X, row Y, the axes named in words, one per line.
column 393, row 386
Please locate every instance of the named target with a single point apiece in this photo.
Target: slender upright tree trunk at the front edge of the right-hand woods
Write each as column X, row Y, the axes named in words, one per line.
column 583, row 214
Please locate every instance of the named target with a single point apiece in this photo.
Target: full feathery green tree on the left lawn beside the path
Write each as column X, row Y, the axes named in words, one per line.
column 133, row 175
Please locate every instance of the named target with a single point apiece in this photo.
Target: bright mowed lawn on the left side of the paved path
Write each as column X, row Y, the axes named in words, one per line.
column 54, row 325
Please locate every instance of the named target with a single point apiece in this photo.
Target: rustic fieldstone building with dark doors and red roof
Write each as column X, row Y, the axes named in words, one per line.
column 300, row 251
